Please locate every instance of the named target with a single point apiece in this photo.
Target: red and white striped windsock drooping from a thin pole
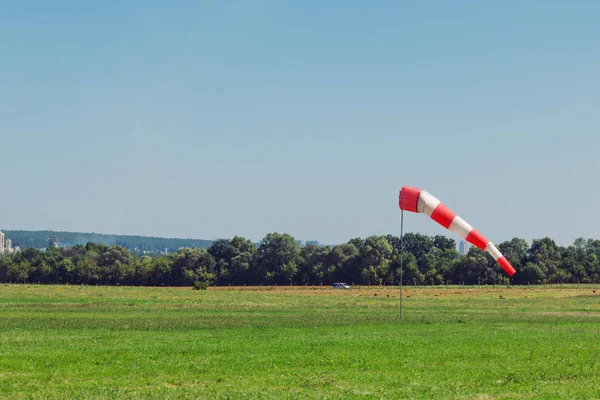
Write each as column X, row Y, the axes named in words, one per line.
column 420, row 201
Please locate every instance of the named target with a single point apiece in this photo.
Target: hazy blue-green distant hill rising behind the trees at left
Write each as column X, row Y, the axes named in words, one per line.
column 136, row 244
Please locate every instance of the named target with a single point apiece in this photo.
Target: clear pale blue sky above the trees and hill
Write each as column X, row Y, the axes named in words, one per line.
column 208, row 119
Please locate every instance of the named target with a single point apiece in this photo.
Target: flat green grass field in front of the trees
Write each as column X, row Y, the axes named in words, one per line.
column 59, row 342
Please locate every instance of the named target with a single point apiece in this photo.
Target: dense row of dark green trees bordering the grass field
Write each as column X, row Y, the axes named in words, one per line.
column 280, row 260
